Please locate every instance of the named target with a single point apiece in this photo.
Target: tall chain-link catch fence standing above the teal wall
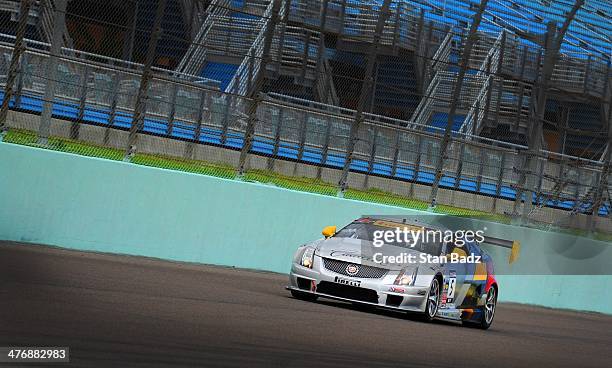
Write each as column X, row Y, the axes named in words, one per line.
column 204, row 104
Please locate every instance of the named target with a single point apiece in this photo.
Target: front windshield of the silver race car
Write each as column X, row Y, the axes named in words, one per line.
column 365, row 231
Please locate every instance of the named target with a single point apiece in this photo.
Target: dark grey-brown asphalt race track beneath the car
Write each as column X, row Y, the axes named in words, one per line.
column 121, row 311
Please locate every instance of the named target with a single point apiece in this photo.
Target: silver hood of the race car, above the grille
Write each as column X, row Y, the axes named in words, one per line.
column 361, row 252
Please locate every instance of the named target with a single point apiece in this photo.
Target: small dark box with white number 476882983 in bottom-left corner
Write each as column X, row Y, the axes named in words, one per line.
column 34, row 354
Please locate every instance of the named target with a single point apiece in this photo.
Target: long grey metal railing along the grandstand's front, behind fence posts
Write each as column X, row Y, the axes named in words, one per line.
column 392, row 148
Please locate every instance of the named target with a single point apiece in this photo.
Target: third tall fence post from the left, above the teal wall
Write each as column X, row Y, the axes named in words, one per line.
column 141, row 99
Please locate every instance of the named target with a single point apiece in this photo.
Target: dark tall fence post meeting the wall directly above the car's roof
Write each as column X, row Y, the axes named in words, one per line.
column 471, row 38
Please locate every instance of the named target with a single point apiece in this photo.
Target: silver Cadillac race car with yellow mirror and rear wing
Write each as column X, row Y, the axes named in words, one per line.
column 446, row 279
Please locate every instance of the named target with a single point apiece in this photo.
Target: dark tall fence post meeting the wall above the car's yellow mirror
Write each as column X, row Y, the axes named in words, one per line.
column 365, row 93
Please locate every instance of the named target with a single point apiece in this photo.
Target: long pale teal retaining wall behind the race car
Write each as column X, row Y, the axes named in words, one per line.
column 107, row 206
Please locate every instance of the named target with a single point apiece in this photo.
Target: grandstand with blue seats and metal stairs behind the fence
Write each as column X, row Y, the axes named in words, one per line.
column 363, row 86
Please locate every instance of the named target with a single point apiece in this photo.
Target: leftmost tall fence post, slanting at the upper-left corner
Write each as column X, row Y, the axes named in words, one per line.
column 18, row 50
